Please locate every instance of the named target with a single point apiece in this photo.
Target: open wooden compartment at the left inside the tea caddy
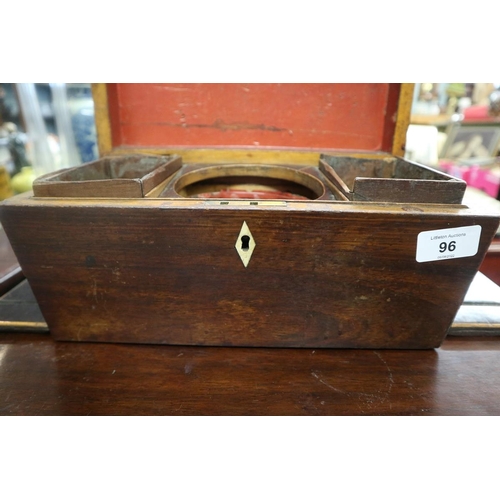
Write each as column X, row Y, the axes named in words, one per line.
column 110, row 177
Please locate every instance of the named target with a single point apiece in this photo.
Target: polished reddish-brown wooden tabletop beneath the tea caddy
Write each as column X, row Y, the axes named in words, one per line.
column 43, row 377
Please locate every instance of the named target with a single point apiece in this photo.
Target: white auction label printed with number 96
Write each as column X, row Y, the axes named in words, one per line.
column 452, row 243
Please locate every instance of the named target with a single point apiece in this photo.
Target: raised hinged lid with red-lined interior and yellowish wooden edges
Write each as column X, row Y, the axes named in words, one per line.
column 264, row 121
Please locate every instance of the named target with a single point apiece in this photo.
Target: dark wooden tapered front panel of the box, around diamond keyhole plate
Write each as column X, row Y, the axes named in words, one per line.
column 323, row 274
